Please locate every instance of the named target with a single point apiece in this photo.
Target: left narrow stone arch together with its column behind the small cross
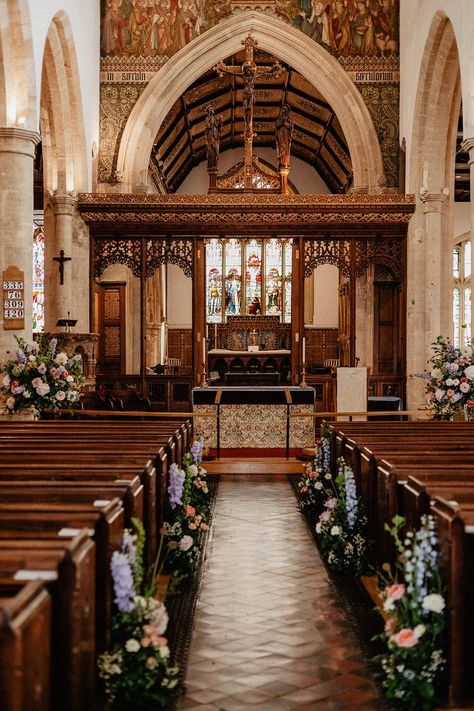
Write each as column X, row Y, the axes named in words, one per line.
column 65, row 174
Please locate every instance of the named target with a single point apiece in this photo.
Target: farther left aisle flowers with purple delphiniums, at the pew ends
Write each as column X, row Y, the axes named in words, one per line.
column 188, row 512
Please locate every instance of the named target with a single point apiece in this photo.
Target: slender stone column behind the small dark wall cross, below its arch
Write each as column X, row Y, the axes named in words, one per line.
column 60, row 300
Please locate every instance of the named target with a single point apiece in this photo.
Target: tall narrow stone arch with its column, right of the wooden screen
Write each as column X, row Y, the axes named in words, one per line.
column 431, row 177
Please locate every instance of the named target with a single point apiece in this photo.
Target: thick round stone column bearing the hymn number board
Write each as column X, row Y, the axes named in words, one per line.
column 17, row 151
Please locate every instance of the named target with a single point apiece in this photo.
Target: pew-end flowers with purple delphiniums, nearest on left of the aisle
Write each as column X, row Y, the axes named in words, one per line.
column 136, row 668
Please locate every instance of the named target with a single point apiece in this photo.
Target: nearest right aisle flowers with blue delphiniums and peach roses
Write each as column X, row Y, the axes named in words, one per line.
column 413, row 606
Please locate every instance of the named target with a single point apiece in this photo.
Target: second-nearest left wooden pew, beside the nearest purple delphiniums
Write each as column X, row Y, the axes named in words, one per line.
column 73, row 609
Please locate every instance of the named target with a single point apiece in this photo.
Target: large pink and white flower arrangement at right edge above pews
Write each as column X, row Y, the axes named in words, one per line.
column 450, row 382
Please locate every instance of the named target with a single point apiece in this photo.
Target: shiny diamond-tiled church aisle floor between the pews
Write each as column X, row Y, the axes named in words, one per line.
column 270, row 633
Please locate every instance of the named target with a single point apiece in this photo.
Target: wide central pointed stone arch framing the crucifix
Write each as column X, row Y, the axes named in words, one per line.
column 288, row 44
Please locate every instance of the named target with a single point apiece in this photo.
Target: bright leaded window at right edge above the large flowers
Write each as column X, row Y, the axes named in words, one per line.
column 462, row 311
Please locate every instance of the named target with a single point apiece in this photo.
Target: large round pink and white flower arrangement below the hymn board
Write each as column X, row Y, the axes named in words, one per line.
column 41, row 376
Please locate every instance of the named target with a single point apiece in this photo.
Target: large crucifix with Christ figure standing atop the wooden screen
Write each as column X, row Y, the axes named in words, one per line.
column 249, row 72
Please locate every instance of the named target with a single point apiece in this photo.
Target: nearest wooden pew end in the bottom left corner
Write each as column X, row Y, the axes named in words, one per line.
column 25, row 622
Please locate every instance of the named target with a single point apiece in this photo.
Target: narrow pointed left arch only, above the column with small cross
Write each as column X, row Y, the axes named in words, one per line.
column 61, row 112
